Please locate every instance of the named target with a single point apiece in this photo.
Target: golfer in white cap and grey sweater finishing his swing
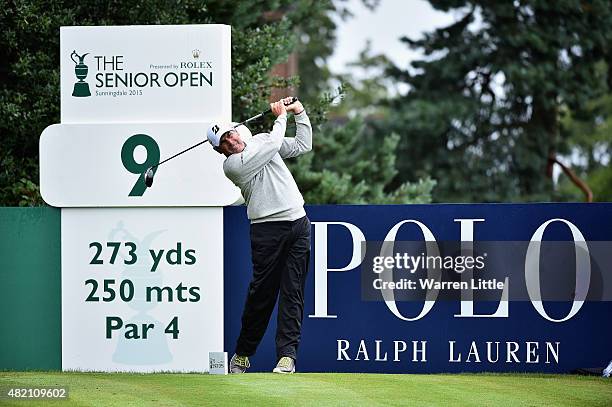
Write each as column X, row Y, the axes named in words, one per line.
column 280, row 231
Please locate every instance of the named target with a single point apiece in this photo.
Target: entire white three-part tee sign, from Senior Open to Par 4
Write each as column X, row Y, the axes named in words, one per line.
column 142, row 269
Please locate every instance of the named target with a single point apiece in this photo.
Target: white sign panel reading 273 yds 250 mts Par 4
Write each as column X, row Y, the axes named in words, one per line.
column 142, row 288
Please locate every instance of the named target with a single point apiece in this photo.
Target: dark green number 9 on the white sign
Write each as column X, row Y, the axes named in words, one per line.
column 130, row 164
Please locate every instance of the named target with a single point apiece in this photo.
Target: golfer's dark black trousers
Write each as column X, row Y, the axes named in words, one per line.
column 280, row 252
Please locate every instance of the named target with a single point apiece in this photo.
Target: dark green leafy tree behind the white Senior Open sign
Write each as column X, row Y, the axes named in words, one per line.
column 29, row 67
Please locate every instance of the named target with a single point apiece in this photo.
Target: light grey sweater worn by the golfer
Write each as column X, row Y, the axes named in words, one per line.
column 267, row 186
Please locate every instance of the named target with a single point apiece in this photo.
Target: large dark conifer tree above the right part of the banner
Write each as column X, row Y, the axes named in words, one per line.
column 483, row 114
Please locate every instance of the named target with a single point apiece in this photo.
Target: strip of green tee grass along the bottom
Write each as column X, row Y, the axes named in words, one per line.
column 319, row 389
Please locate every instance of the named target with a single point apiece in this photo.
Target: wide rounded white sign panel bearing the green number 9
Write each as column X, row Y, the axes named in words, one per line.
column 102, row 165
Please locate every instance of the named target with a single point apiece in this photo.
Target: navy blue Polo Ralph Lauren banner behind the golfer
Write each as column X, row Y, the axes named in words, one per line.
column 344, row 333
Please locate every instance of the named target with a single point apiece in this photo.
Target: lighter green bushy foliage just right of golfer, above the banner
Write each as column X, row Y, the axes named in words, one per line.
column 351, row 165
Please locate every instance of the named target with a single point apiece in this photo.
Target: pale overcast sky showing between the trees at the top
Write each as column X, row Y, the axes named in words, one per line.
column 391, row 20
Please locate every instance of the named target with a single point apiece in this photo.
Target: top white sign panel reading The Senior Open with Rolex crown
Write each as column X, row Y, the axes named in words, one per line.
column 168, row 73
